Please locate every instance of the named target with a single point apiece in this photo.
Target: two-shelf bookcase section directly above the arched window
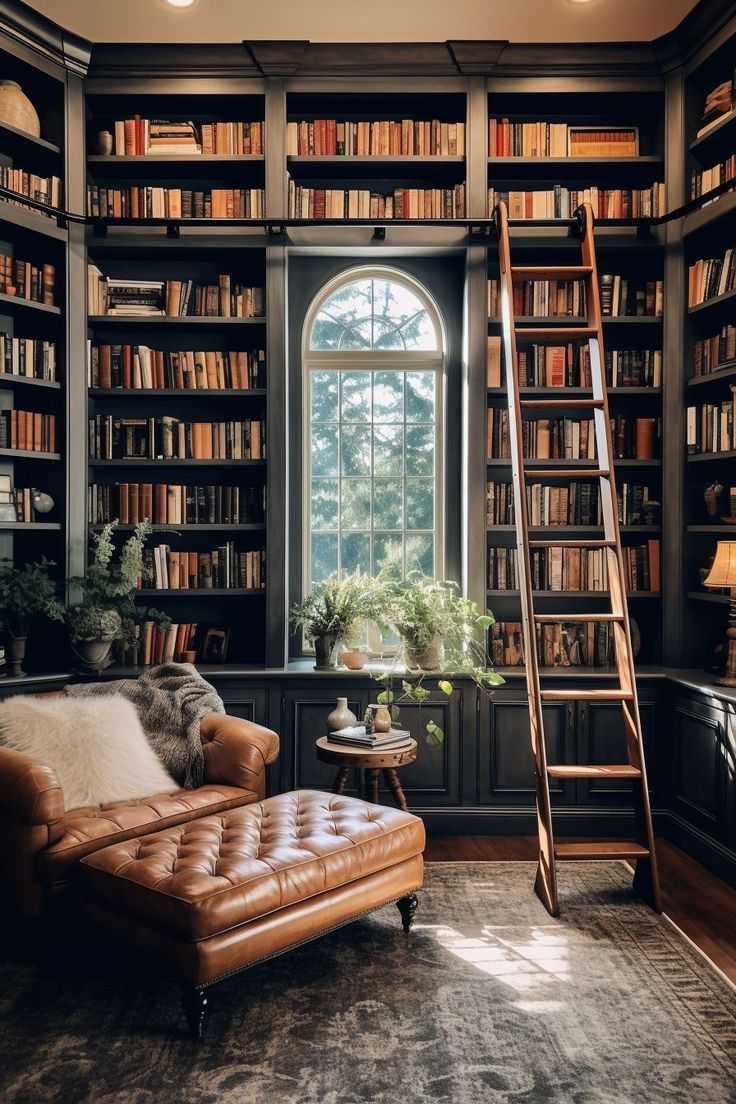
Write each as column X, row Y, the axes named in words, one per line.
column 383, row 173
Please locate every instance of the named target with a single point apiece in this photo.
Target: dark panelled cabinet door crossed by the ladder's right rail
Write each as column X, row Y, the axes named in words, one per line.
column 602, row 739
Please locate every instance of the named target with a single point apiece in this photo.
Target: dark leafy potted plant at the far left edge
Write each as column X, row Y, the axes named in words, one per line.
column 26, row 592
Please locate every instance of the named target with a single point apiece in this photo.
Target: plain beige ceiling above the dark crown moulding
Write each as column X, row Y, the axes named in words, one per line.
column 378, row 22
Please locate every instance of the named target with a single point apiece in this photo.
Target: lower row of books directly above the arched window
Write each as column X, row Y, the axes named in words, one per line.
column 364, row 204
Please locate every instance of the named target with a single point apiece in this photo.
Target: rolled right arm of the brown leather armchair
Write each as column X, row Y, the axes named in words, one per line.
column 237, row 752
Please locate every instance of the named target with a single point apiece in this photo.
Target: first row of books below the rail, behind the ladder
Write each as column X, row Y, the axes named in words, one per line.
column 620, row 298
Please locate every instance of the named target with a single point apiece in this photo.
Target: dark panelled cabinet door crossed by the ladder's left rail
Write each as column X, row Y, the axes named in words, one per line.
column 506, row 759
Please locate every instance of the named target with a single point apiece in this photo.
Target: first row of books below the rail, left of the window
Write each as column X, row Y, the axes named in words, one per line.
column 176, row 299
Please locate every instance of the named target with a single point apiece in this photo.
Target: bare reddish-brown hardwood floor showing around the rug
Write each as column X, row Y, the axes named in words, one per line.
column 703, row 906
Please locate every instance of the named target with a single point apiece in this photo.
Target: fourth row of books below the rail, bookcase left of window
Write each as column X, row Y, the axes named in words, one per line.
column 176, row 504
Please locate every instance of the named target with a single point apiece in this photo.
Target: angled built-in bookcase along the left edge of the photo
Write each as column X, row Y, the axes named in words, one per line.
column 34, row 375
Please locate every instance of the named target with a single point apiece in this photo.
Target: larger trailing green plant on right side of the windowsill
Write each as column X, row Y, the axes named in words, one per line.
column 442, row 632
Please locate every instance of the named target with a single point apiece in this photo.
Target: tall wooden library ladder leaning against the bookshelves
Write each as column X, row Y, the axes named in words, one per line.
column 641, row 851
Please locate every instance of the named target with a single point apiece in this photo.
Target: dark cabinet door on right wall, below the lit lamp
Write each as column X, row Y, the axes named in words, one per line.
column 701, row 781
